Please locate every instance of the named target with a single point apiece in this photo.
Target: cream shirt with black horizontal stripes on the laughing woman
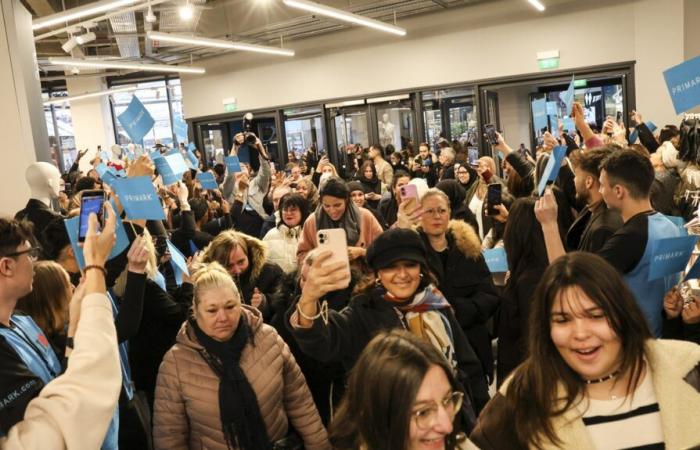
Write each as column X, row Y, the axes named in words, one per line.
column 620, row 424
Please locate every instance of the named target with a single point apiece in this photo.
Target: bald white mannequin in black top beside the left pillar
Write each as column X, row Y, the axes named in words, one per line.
column 44, row 184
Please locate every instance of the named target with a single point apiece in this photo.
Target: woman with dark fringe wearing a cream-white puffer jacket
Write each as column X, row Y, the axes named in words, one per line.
column 282, row 241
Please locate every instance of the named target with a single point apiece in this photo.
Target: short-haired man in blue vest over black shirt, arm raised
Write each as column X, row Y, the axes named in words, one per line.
column 626, row 177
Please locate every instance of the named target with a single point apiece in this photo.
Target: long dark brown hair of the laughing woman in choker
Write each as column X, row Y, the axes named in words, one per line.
column 533, row 393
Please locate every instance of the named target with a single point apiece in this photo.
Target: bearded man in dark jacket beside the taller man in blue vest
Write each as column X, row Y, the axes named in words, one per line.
column 596, row 223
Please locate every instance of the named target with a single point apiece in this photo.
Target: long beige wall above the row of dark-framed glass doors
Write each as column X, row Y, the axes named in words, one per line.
column 485, row 41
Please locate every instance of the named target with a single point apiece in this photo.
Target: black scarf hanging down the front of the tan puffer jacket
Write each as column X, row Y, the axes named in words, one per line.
column 241, row 419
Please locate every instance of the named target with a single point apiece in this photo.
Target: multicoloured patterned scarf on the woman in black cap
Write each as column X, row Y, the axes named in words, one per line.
column 425, row 317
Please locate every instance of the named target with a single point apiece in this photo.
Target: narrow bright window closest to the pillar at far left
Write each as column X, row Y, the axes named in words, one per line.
column 59, row 125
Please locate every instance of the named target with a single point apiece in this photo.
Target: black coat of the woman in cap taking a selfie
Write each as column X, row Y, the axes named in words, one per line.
column 349, row 331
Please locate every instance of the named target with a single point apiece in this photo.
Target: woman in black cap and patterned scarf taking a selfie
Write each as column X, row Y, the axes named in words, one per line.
column 399, row 293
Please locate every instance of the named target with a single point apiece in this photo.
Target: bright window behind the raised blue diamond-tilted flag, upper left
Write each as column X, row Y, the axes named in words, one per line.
column 158, row 102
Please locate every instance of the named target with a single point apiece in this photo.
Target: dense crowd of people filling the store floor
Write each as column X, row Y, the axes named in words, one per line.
column 405, row 339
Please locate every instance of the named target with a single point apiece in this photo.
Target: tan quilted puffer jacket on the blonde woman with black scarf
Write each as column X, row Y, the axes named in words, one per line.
column 186, row 413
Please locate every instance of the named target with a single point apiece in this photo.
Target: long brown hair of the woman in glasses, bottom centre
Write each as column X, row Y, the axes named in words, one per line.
column 376, row 411
